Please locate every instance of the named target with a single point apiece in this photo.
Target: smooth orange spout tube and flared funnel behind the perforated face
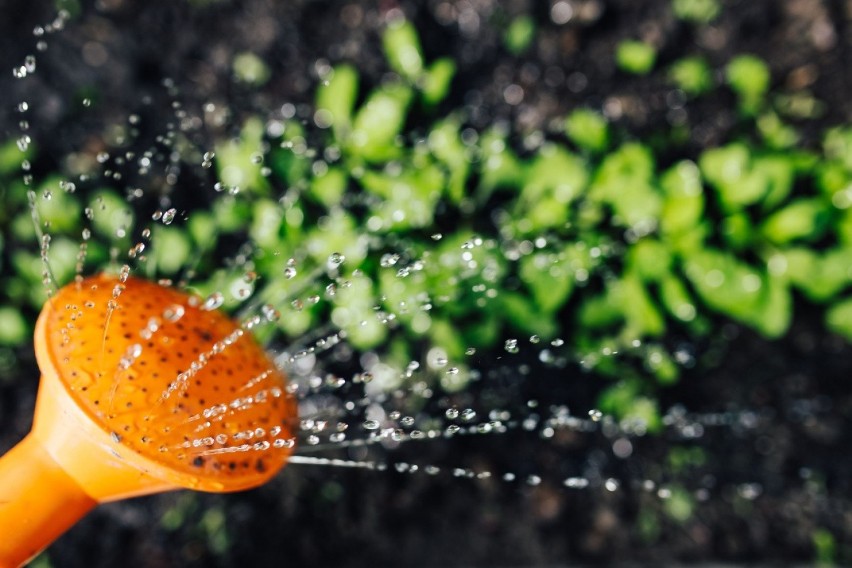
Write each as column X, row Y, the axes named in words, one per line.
column 61, row 470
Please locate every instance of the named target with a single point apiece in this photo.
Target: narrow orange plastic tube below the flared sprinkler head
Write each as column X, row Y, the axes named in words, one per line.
column 38, row 502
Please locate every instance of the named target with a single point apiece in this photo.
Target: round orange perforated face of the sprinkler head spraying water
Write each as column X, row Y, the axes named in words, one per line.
column 187, row 390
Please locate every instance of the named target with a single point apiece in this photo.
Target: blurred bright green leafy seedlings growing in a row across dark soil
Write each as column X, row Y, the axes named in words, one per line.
column 590, row 241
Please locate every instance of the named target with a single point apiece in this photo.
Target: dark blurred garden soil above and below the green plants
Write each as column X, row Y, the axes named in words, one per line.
column 772, row 480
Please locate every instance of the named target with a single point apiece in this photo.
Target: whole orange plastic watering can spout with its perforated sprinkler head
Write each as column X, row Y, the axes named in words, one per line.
column 144, row 389
